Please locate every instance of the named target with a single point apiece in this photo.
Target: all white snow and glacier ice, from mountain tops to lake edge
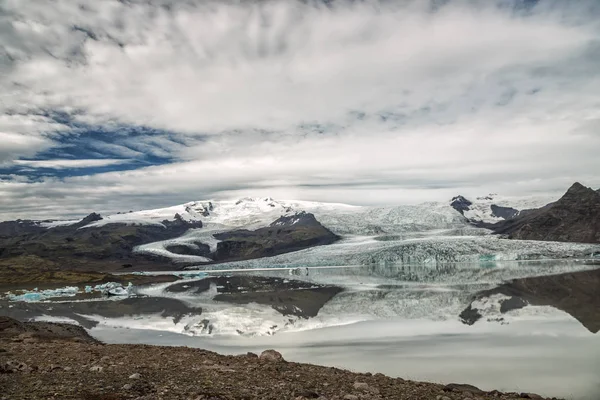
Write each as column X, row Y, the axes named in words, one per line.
column 428, row 232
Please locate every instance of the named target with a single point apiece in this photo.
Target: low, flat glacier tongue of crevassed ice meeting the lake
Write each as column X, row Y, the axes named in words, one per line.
column 434, row 250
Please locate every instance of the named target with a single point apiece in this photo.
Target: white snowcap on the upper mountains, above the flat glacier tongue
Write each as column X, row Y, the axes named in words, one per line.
column 251, row 213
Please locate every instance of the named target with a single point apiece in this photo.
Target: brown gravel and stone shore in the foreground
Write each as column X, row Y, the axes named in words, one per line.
column 45, row 360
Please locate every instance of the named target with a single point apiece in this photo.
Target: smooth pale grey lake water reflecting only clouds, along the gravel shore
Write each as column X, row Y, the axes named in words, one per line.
column 553, row 358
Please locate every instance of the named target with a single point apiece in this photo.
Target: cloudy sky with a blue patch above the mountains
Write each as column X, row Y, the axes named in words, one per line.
column 110, row 105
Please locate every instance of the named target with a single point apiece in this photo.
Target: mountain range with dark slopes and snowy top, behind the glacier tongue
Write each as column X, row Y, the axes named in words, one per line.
column 250, row 228
